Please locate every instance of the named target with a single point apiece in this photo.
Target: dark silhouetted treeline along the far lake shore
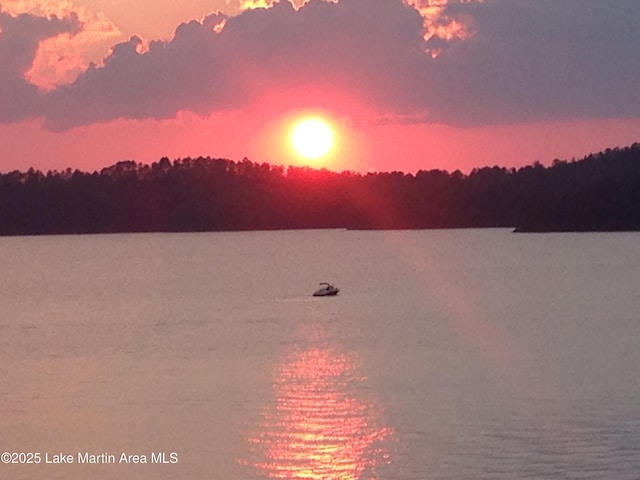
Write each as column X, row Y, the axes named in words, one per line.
column 599, row 192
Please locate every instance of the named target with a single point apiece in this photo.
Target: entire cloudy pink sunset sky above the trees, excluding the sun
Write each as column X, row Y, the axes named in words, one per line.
column 406, row 86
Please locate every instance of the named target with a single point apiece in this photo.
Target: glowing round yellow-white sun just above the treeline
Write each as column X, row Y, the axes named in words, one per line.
column 312, row 138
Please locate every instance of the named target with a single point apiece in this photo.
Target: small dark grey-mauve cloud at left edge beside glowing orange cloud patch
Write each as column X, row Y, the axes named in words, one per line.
column 19, row 40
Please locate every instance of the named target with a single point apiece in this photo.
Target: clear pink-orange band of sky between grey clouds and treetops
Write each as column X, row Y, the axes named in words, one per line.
column 382, row 148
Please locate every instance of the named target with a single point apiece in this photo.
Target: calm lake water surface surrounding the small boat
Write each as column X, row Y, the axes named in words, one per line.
column 447, row 355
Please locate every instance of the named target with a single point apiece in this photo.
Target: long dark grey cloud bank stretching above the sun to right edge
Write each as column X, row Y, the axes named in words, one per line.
column 528, row 60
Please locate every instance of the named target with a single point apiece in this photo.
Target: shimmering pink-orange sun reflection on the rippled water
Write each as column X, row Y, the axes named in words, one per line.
column 318, row 428
